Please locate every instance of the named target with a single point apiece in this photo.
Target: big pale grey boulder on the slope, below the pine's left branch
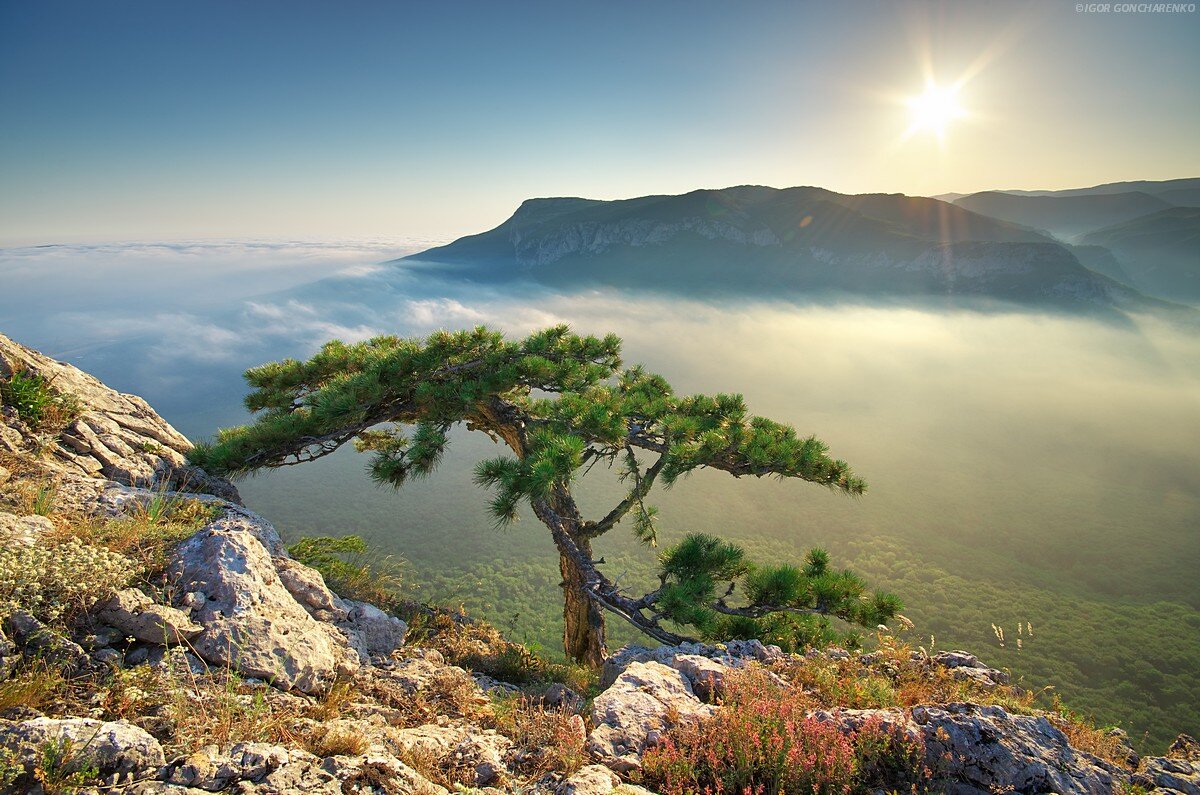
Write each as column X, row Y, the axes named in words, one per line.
column 250, row 619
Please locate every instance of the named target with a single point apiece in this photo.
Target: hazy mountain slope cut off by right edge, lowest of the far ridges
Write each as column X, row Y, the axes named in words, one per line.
column 1161, row 253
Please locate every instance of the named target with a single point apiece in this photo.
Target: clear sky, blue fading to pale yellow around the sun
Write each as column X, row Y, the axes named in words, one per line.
column 317, row 121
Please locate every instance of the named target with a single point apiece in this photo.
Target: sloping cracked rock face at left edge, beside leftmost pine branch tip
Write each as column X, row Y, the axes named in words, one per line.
column 116, row 437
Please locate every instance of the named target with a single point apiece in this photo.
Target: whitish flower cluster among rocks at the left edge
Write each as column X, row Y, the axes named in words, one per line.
column 50, row 582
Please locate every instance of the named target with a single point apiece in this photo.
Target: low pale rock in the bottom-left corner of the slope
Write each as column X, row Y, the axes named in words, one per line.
column 116, row 749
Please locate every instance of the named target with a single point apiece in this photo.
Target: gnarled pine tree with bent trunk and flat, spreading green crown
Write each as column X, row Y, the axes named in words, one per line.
column 562, row 403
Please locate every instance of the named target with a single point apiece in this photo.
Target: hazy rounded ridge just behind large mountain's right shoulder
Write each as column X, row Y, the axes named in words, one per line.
column 1067, row 217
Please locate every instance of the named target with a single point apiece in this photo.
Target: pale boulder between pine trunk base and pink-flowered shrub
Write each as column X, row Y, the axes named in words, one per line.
column 645, row 702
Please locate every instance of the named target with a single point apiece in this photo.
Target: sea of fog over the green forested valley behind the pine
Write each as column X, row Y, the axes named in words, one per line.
column 1024, row 469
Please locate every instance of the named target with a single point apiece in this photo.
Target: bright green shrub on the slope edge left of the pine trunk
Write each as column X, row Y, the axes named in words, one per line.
column 352, row 571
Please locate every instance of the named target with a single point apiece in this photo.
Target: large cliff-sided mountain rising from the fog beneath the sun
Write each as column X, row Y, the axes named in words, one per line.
column 783, row 243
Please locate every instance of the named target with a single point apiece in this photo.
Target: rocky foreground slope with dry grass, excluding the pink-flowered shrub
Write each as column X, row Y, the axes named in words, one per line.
column 159, row 638
